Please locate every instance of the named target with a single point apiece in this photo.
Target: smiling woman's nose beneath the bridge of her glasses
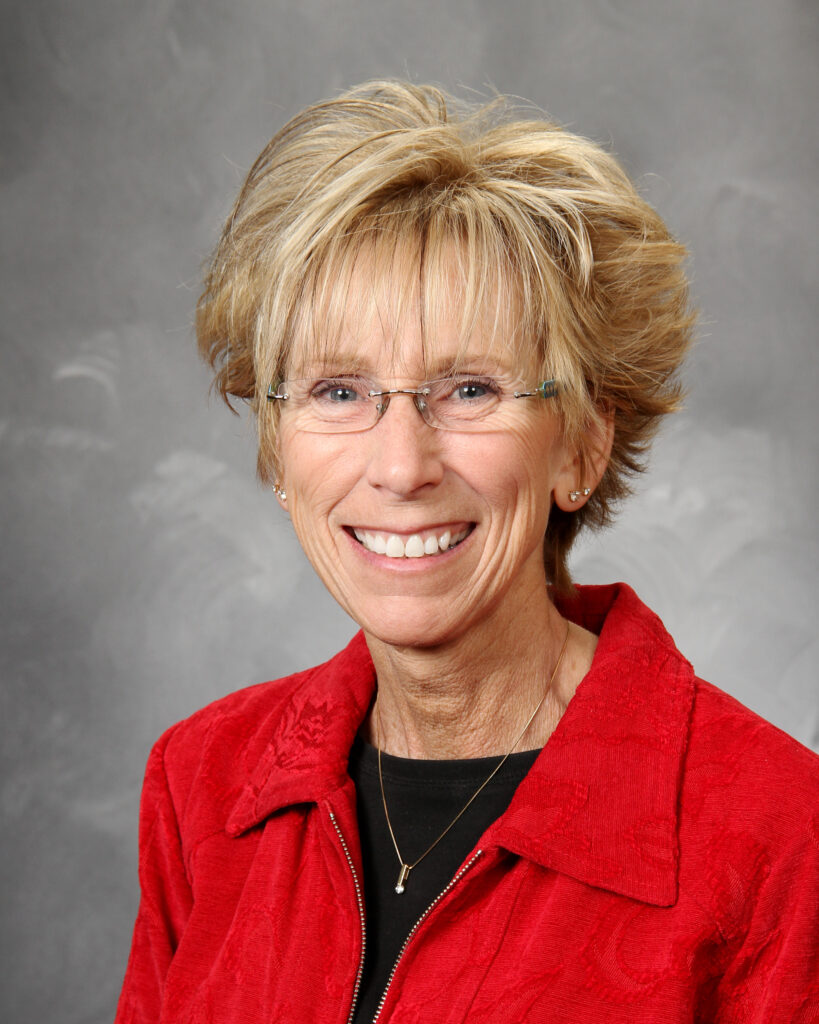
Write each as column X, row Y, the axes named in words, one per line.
column 405, row 453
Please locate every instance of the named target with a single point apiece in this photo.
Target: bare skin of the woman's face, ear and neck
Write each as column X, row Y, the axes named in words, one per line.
column 464, row 643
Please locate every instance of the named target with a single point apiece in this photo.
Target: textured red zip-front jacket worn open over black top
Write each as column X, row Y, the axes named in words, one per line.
column 659, row 864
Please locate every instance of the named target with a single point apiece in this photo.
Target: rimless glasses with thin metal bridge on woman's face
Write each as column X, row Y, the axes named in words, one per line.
column 350, row 404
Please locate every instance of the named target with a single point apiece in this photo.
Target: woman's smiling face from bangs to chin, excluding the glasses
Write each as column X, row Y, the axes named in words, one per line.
column 427, row 537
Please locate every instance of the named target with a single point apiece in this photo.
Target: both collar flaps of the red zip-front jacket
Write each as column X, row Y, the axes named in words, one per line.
column 599, row 805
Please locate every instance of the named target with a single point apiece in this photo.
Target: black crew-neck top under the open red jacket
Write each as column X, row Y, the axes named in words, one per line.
column 423, row 797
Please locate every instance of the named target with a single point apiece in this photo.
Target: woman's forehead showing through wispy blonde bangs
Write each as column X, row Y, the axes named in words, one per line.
column 399, row 310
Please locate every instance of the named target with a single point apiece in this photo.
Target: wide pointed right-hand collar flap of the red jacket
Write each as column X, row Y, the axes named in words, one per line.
column 601, row 802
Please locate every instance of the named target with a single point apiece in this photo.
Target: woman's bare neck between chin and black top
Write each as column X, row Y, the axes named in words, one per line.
column 472, row 697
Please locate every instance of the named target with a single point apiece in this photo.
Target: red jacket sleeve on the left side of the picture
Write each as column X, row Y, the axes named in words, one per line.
column 165, row 898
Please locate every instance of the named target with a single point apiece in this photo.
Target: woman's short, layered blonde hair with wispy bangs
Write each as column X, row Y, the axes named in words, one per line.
column 544, row 223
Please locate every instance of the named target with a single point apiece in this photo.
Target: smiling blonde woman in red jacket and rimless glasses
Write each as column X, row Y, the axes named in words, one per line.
column 508, row 799
